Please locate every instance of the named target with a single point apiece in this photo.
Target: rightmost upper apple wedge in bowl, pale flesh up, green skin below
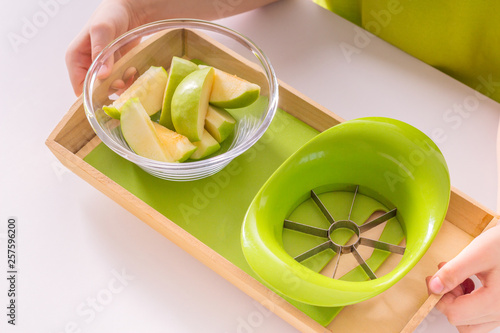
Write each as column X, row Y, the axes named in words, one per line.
column 230, row 91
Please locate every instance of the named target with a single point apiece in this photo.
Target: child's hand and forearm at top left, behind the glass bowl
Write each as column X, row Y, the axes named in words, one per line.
column 115, row 17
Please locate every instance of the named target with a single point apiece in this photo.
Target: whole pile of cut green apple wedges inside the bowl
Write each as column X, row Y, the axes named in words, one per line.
column 190, row 98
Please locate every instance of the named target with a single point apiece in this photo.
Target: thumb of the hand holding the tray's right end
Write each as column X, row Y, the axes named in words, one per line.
column 467, row 263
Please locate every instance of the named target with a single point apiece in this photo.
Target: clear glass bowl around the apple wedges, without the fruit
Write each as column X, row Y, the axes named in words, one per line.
column 155, row 44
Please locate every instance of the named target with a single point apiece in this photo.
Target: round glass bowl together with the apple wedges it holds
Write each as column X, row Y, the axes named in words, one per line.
column 164, row 54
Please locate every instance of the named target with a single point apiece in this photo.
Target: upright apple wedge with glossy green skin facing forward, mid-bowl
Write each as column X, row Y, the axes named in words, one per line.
column 190, row 103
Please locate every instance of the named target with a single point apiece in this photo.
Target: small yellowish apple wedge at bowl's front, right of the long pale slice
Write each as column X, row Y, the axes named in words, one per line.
column 177, row 145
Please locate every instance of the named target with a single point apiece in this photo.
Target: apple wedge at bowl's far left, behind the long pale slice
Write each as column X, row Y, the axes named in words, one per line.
column 149, row 88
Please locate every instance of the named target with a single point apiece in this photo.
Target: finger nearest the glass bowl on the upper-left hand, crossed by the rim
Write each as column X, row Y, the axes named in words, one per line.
column 101, row 34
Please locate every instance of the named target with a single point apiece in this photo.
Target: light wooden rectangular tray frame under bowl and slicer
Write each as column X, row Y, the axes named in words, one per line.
column 399, row 309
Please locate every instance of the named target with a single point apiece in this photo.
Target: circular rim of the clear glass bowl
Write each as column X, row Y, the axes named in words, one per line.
column 158, row 26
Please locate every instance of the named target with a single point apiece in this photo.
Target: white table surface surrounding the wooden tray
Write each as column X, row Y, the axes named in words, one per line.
column 73, row 240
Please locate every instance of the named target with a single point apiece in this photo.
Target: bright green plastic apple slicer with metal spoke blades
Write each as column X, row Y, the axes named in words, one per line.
column 323, row 227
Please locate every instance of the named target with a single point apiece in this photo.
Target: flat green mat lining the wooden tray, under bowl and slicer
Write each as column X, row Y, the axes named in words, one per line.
column 213, row 209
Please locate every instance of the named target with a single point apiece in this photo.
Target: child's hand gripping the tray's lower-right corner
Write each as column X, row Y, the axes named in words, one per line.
column 468, row 309
